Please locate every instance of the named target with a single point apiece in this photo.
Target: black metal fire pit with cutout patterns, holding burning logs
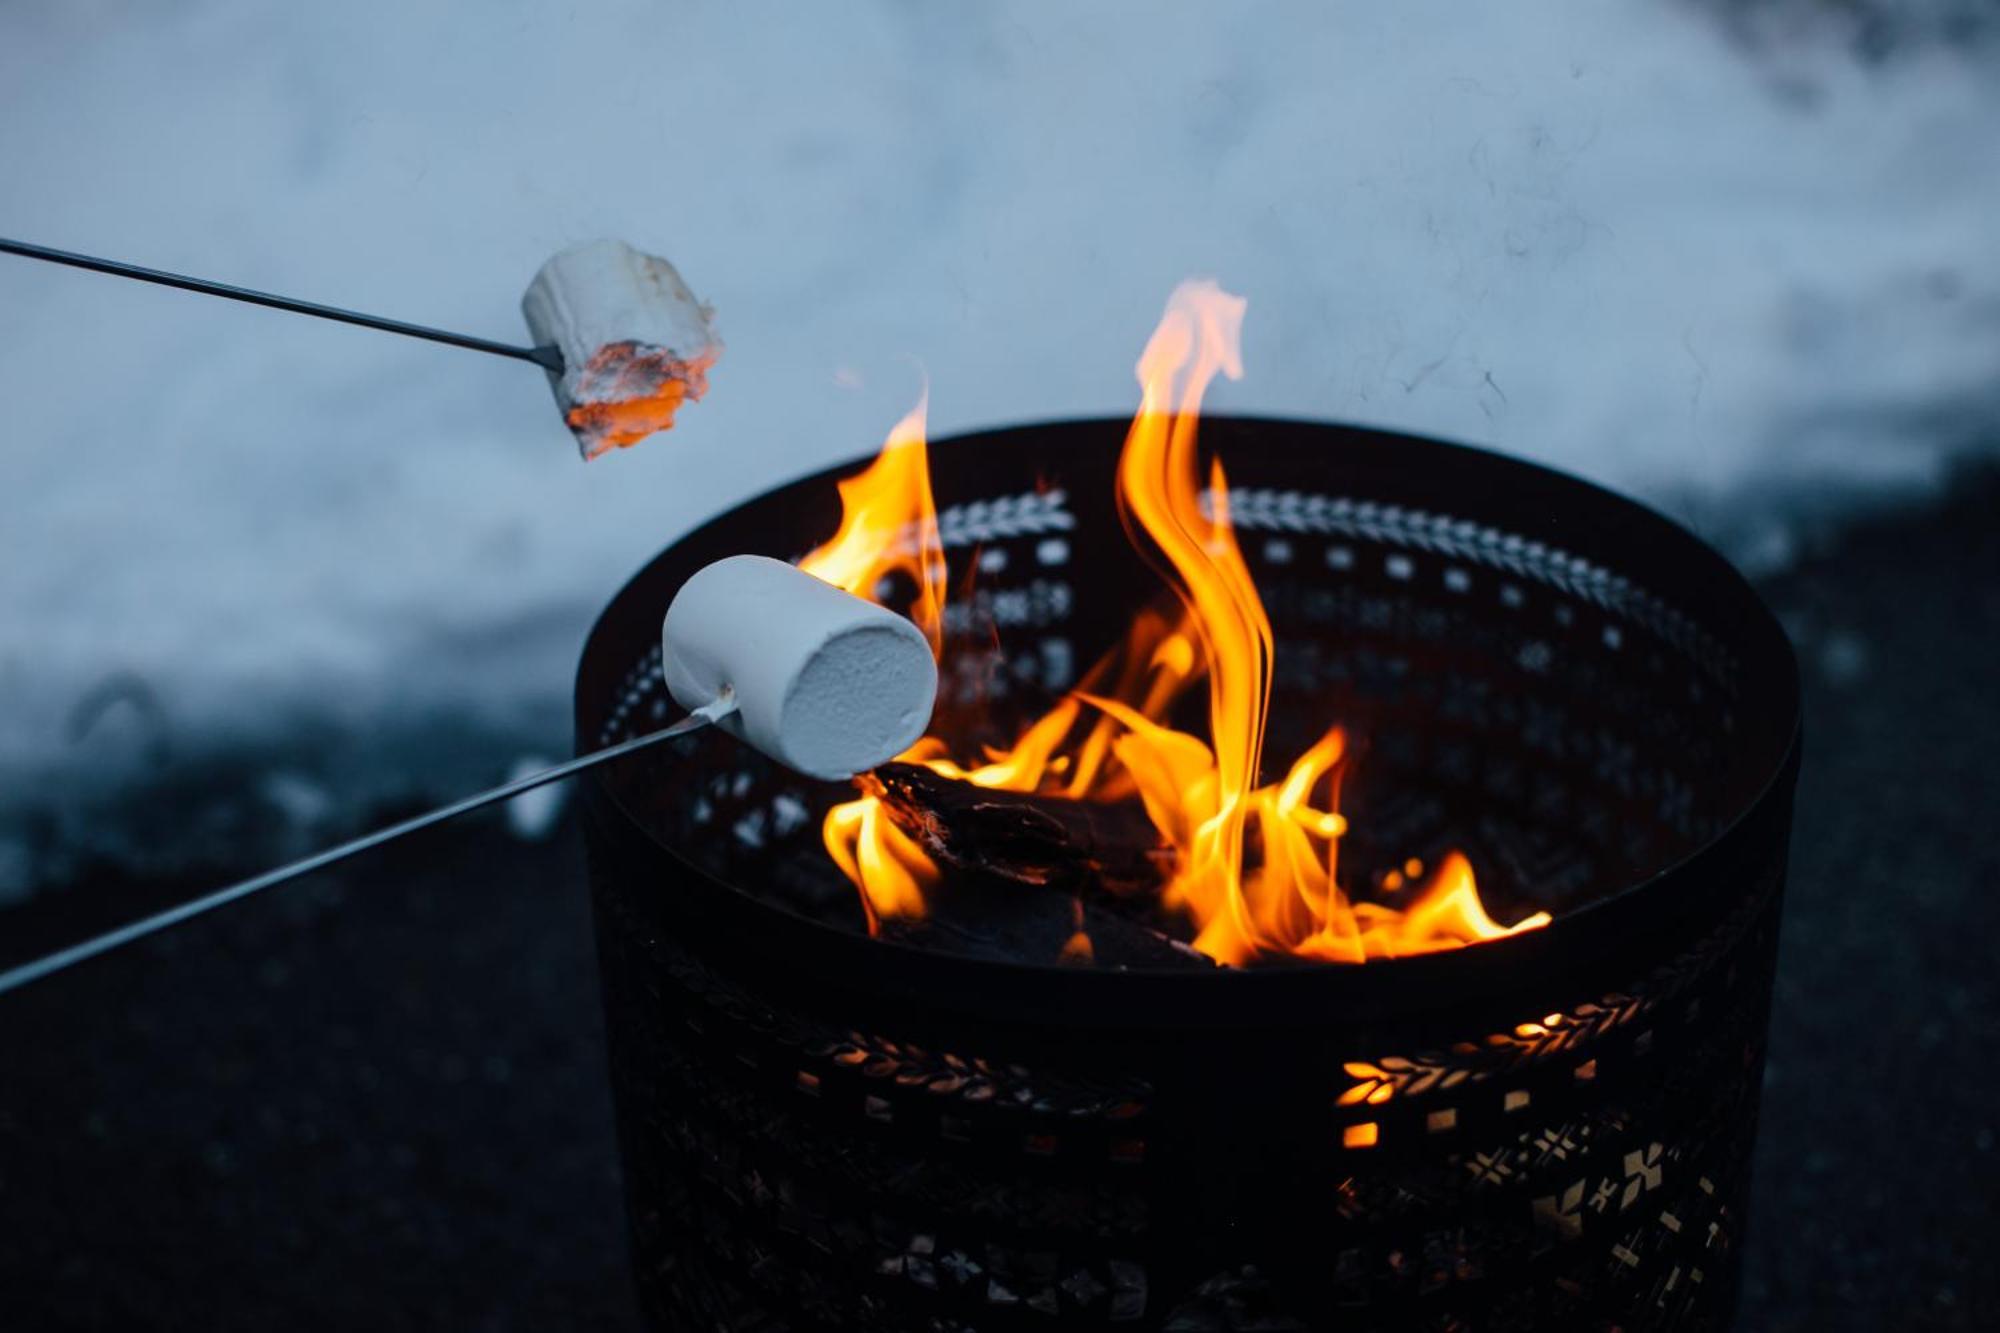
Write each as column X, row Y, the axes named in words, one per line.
column 1549, row 1132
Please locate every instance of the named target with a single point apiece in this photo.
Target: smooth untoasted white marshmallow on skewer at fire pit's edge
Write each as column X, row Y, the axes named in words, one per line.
column 825, row 684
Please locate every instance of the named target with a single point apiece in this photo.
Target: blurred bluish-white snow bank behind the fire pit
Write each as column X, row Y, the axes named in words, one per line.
column 1747, row 285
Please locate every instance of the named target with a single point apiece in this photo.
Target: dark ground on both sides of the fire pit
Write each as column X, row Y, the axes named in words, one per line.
column 379, row 1100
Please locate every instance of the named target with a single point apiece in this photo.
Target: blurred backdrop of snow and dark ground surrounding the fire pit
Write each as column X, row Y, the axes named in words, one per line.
column 267, row 581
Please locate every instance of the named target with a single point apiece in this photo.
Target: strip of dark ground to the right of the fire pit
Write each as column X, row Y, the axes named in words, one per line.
column 1879, row 1168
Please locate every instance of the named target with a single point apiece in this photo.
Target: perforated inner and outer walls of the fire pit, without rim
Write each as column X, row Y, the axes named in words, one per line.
column 791, row 1168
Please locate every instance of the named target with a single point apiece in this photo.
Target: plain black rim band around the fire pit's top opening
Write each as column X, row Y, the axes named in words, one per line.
column 1557, row 954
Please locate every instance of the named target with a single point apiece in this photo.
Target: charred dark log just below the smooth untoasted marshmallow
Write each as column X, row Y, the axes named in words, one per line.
column 1025, row 838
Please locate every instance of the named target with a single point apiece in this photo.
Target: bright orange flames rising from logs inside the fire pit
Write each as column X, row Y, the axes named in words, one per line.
column 1255, row 866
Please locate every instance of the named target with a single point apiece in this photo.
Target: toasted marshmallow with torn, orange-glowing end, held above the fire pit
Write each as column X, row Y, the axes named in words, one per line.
column 633, row 337
